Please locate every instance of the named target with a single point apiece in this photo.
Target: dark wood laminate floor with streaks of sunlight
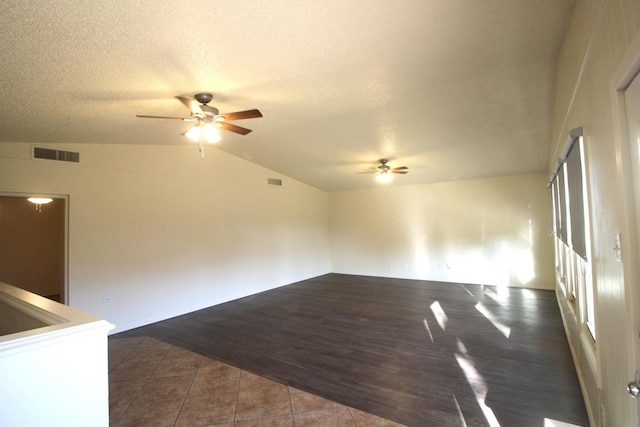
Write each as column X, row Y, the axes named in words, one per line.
column 416, row 352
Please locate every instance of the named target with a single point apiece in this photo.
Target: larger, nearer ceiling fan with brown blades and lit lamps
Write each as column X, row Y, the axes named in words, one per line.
column 208, row 118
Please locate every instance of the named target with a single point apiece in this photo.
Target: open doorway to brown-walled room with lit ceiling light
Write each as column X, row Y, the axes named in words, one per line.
column 33, row 242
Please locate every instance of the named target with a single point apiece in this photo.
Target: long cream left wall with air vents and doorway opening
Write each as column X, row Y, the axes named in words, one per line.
column 161, row 231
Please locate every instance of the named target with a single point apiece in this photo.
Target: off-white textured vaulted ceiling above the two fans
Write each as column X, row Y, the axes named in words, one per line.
column 453, row 89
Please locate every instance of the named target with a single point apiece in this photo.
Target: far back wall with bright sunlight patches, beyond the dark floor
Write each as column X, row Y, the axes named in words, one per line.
column 490, row 231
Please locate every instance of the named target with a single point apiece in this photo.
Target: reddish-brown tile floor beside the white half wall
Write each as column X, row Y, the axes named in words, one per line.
column 153, row 383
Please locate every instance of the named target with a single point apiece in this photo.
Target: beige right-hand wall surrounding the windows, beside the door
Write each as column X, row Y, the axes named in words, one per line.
column 601, row 50
